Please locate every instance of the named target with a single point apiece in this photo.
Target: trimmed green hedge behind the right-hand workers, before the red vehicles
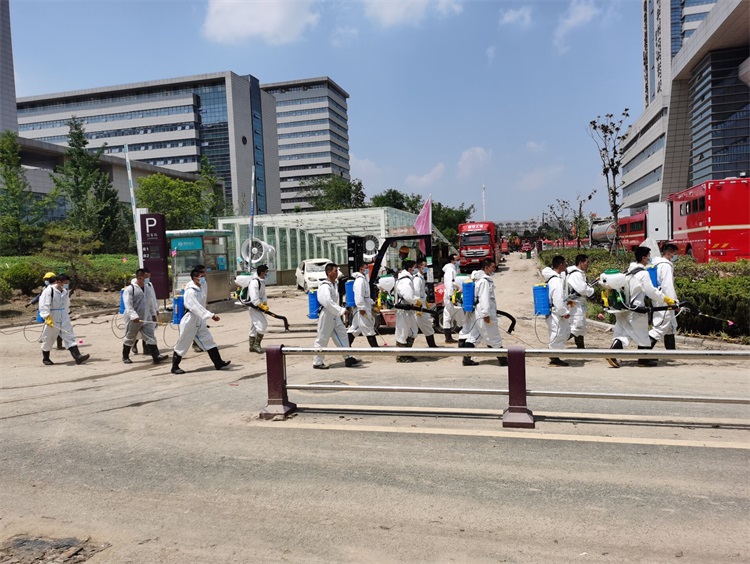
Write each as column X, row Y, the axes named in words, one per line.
column 720, row 290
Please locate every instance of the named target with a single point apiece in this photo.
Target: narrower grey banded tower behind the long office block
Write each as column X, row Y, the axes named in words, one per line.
column 313, row 126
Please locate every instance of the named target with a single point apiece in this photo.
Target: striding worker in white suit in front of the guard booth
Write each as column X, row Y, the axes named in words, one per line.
column 193, row 325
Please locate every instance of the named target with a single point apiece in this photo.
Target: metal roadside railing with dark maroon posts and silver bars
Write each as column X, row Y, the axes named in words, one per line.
column 517, row 414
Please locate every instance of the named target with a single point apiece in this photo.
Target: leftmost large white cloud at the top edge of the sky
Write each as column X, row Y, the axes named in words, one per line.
column 277, row 22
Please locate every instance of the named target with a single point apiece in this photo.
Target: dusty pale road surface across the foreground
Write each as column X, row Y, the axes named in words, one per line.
column 180, row 468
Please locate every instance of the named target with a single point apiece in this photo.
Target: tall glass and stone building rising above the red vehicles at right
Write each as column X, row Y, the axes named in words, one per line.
column 695, row 125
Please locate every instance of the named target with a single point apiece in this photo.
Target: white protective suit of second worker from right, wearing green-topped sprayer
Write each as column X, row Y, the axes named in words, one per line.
column 630, row 325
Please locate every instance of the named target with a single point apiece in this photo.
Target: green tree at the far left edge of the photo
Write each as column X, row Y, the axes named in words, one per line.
column 22, row 214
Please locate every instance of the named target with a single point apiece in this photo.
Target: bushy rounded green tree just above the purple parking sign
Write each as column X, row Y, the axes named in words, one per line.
column 183, row 204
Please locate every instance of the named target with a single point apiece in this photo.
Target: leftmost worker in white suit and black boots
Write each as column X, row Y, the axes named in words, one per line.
column 54, row 306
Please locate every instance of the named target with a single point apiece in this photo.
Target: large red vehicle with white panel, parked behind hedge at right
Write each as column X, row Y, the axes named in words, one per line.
column 710, row 221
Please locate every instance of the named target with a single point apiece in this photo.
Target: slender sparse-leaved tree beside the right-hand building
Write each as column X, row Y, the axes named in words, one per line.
column 607, row 134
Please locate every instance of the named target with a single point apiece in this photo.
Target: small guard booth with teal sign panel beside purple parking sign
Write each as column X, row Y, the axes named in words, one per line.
column 209, row 247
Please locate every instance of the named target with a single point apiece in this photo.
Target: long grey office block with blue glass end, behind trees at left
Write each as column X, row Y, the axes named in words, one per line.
column 173, row 123
